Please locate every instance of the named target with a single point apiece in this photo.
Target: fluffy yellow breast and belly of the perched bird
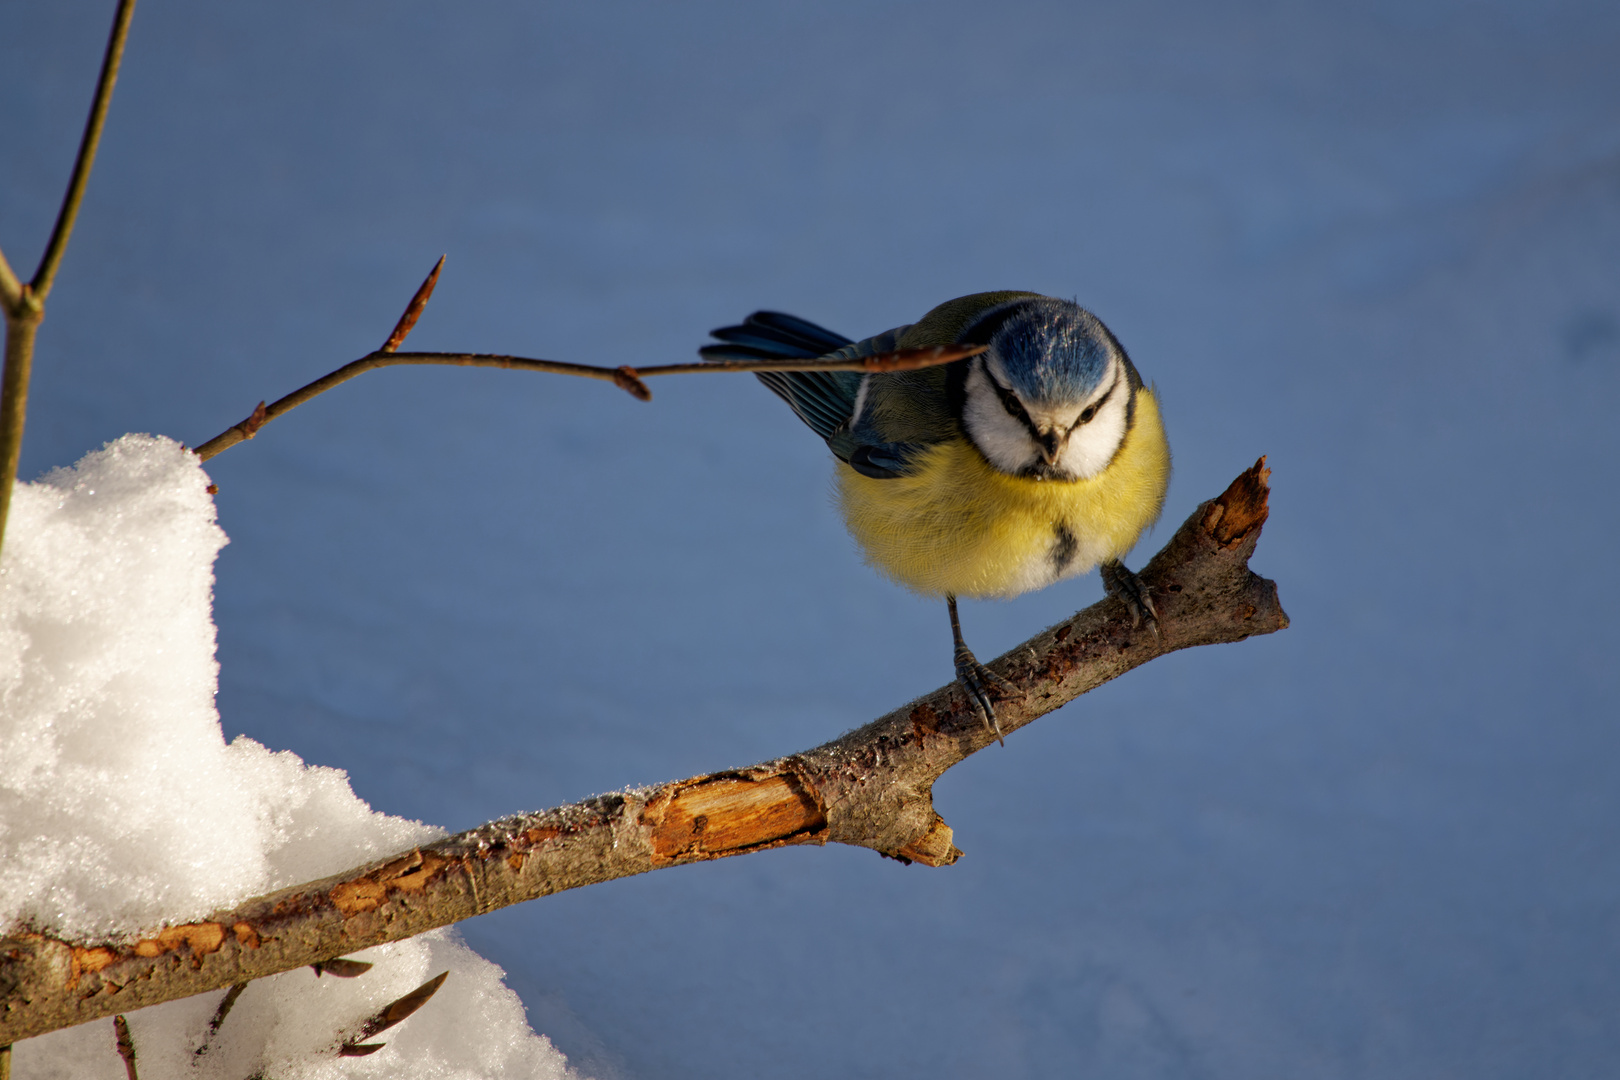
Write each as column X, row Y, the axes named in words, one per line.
column 958, row 527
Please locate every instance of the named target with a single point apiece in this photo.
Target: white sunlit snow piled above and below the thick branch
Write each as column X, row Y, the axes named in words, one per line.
column 122, row 807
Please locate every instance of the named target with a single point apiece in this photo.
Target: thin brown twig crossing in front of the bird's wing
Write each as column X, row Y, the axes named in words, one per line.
column 626, row 378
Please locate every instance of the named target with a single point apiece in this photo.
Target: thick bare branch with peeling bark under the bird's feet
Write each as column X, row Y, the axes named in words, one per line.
column 872, row 788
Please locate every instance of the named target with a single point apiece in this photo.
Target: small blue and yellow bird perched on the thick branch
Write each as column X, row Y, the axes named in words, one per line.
column 991, row 477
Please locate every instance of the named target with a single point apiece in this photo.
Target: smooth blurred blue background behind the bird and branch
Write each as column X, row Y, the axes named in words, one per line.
column 1378, row 242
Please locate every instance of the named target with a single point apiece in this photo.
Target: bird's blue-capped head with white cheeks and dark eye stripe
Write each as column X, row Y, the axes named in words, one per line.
column 1052, row 396
